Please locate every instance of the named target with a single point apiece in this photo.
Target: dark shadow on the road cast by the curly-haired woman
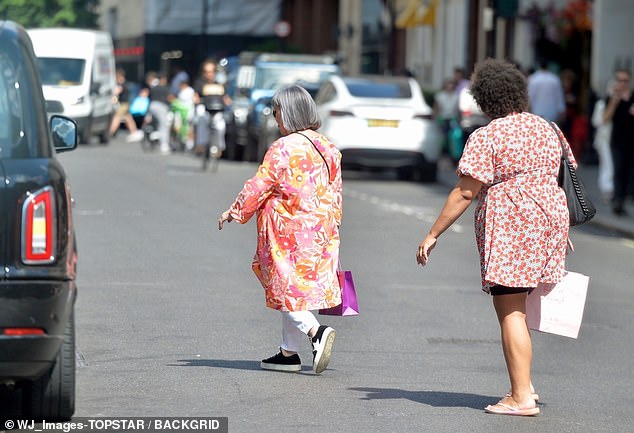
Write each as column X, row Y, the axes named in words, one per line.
column 431, row 398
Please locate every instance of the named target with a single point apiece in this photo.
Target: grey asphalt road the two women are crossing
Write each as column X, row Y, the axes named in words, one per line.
column 171, row 321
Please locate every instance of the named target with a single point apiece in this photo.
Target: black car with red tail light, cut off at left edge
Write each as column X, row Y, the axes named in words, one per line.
column 37, row 240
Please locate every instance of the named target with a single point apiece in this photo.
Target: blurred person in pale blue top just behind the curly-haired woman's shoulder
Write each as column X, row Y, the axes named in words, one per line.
column 546, row 94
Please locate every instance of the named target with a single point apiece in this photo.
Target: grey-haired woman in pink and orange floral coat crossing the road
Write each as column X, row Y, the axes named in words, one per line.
column 297, row 196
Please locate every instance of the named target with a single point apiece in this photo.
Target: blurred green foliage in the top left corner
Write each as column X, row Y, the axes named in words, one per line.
column 50, row 13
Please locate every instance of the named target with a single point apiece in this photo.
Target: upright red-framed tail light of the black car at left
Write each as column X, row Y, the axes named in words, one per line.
column 38, row 227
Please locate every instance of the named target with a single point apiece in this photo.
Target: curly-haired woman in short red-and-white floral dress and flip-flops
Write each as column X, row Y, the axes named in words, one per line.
column 521, row 219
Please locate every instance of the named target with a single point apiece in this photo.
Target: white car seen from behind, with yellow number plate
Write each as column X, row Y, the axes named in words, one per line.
column 381, row 122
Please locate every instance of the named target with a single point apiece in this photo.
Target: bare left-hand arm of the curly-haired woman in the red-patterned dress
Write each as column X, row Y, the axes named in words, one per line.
column 457, row 202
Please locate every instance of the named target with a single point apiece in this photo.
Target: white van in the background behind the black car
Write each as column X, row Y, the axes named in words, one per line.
column 77, row 69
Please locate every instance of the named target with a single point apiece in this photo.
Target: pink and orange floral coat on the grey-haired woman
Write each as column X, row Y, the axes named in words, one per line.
column 298, row 210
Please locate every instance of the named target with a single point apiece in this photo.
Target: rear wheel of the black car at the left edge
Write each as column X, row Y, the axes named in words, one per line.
column 52, row 396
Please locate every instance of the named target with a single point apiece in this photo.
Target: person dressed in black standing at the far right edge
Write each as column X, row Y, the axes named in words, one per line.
column 620, row 111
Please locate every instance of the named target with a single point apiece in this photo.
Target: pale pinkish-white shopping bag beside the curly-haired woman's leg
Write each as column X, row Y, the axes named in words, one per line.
column 558, row 308
